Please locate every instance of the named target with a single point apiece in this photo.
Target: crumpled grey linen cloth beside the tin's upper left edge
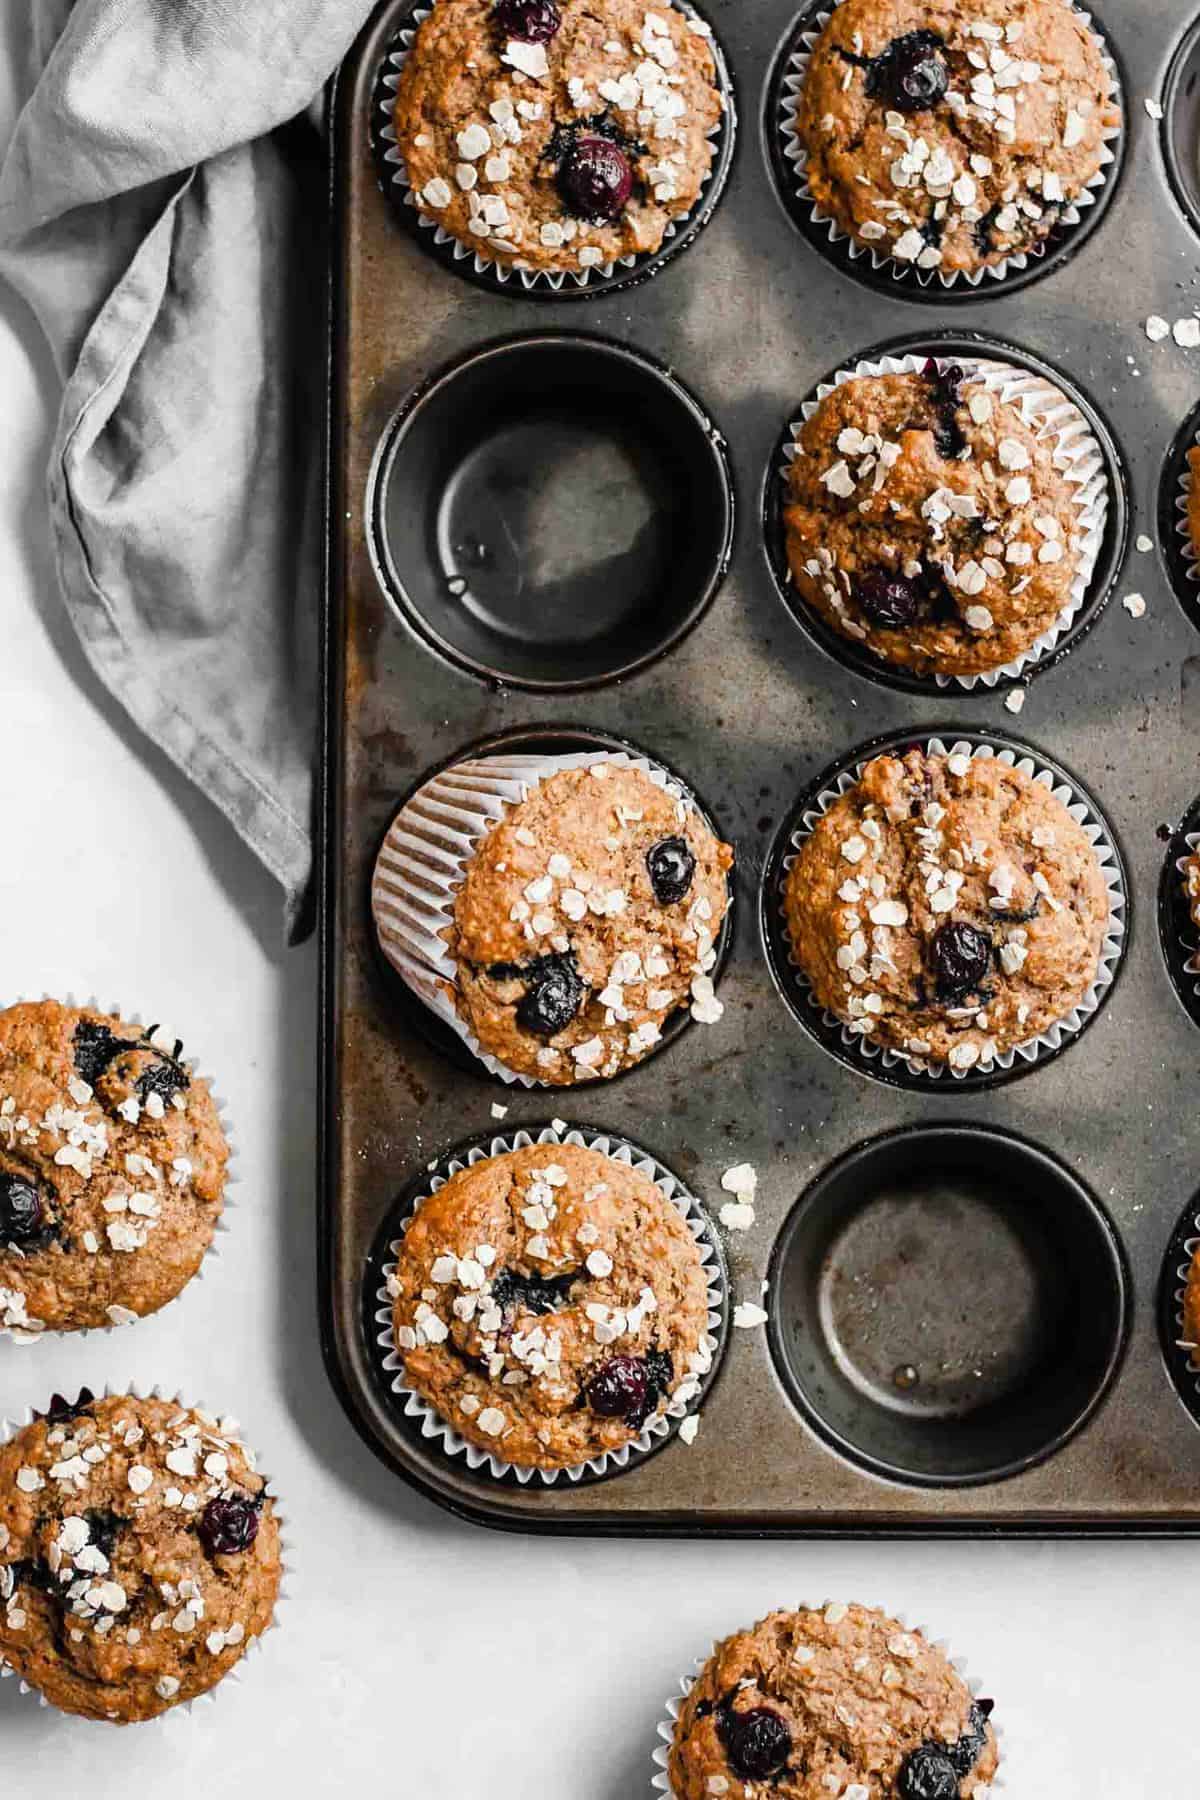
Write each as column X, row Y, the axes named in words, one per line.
column 170, row 238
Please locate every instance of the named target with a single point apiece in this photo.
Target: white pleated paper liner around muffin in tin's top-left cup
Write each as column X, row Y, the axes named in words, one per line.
column 397, row 179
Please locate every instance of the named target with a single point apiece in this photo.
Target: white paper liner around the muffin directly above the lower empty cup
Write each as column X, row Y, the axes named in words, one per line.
column 1111, row 951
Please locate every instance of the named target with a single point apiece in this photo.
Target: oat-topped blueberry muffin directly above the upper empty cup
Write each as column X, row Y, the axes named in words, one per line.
column 557, row 136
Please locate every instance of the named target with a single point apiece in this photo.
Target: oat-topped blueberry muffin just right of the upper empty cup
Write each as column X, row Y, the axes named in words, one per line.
column 927, row 523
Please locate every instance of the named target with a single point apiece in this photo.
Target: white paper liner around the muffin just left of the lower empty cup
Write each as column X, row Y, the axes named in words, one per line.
column 658, row 1428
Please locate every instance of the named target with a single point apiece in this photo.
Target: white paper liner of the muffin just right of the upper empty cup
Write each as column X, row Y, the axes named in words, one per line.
column 1077, row 456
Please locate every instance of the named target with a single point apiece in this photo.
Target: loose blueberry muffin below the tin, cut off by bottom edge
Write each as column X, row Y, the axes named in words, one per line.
column 832, row 1704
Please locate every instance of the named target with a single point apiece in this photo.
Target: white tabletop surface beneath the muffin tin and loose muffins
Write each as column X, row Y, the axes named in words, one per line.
column 418, row 1655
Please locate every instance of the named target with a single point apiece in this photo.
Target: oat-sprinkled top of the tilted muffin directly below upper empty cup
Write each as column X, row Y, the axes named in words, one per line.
column 586, row 919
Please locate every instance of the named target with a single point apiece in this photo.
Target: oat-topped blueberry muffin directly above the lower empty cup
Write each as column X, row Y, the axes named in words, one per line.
column 947, row 908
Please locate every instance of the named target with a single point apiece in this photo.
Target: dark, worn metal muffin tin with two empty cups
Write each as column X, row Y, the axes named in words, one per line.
column 965, row 1284
